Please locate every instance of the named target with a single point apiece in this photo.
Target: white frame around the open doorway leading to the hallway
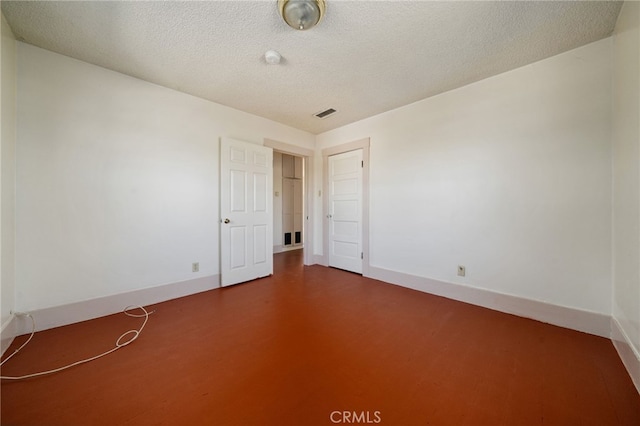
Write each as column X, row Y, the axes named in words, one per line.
column 307, row 224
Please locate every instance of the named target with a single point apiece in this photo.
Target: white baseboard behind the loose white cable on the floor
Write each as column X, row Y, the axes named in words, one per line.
column 81, row 311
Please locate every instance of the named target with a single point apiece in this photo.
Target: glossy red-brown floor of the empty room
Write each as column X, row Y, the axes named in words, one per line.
column 319, row 346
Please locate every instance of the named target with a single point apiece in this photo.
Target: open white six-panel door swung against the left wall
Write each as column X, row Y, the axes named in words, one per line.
column 246, row 211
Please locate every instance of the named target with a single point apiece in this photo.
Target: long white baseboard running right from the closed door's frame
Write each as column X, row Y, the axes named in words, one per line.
column 575, row 319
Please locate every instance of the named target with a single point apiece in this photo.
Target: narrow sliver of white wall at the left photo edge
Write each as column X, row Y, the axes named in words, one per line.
column 7, row 177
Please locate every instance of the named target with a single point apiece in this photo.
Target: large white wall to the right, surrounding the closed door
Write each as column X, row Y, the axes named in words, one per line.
column 509, row 176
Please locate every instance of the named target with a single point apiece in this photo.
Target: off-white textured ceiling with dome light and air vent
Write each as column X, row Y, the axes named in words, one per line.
column 364, row 58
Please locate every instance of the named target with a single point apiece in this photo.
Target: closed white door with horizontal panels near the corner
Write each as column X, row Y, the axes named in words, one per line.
column 345, row 211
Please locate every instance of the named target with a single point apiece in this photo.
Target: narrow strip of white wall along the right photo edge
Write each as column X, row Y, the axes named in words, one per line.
column 626, row 178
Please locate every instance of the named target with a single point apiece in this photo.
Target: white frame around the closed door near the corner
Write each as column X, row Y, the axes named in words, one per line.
column 326, row 153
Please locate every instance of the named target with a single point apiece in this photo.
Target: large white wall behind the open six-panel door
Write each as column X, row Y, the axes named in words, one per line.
column 117, row 183
